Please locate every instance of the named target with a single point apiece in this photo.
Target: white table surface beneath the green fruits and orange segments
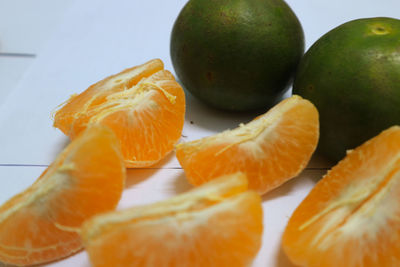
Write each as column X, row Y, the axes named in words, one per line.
column 51, row 49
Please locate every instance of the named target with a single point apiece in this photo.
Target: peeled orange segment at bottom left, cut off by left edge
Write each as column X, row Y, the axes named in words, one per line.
column 40, row 224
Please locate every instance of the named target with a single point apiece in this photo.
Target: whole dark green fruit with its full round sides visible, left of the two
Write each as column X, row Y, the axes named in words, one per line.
column 236, row 54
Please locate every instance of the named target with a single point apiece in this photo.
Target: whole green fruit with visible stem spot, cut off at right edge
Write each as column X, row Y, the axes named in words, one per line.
column 352, row 75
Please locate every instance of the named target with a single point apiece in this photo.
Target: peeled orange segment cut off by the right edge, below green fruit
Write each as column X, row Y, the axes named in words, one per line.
column 351, row 217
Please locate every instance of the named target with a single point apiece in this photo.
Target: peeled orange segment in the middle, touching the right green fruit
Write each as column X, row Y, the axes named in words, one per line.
column 270, row 150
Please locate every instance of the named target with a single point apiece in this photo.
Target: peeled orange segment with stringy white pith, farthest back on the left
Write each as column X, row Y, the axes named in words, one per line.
column 144, row 106
